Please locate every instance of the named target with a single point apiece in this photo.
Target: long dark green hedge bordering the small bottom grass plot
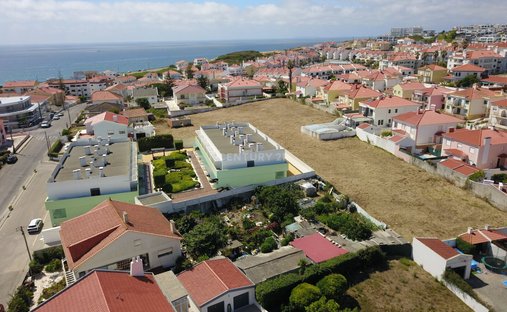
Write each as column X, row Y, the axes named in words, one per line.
column 273, row 292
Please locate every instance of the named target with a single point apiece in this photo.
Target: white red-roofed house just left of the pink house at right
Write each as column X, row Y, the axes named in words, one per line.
column 424, row 127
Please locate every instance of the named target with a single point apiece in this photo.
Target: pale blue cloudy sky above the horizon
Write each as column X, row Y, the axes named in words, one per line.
column 89, row 21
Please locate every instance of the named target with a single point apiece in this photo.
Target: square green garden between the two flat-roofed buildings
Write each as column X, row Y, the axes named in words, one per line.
column 173, row 173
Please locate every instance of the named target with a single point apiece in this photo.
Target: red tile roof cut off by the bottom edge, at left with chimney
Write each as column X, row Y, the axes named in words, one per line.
column 109, row 291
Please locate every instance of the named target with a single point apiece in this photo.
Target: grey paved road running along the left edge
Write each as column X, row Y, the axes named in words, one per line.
column 27, row 204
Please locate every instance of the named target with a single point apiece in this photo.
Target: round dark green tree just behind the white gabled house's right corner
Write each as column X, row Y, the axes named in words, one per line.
column 206, row 238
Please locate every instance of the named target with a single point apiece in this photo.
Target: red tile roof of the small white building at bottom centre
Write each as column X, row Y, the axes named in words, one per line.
column 212, row 278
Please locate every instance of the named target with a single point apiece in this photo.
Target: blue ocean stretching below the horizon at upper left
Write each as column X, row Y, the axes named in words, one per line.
column 40, row 62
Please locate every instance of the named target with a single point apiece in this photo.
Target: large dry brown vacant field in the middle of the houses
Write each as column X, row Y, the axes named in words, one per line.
column 411, row 201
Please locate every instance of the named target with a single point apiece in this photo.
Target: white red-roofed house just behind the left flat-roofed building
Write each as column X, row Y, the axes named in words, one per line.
column 107, row 125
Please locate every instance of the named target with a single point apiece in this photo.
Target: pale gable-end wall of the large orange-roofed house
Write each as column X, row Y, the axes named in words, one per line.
column 132, row 244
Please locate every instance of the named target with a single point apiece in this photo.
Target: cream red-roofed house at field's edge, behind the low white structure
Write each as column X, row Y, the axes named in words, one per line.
column 383, row 109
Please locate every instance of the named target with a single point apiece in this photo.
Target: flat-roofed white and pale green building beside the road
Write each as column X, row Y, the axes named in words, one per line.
column 90, row 171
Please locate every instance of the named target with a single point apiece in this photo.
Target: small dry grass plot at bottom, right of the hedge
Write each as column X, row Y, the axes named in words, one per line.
column 404, row 288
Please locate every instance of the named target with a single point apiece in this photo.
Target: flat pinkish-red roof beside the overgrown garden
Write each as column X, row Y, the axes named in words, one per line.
column 318, row 248
